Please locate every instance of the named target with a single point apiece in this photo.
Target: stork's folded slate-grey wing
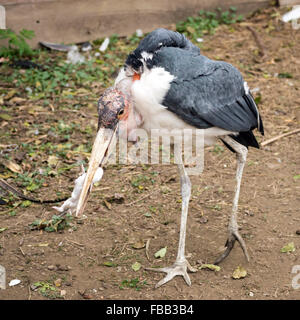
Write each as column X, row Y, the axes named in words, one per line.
column 207, row 93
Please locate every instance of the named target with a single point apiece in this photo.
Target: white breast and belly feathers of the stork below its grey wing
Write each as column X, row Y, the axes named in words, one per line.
column 148, row 94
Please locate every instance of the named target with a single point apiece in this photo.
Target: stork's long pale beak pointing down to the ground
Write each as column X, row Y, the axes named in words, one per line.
column 99, row 151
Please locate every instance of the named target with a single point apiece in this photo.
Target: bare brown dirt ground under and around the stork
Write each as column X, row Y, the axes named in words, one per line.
column 93, row 258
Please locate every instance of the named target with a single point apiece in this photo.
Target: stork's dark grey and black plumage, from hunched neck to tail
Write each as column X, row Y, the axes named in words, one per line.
column 204, row 93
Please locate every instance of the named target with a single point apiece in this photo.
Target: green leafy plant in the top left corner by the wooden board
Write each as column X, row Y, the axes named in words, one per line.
column 17, row 45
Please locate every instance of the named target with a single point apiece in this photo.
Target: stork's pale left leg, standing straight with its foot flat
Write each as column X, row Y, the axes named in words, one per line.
column 181, row 265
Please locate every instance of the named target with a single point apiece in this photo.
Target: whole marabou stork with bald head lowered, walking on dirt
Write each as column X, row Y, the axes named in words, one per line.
column 167, row 83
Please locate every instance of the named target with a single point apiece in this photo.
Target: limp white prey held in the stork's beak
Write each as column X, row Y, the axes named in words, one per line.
column 70, row 204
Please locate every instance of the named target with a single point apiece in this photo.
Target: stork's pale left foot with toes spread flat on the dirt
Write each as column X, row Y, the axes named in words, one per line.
column 179, row 268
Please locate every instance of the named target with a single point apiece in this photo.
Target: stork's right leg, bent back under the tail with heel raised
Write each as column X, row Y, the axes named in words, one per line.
column 241, row 155
